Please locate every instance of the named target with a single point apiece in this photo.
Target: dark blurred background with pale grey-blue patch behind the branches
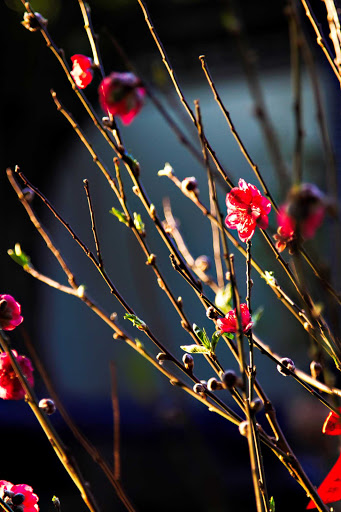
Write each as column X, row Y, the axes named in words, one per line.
column 175, row 454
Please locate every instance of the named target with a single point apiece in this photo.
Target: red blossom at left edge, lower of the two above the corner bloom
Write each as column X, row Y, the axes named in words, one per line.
column 10, row 386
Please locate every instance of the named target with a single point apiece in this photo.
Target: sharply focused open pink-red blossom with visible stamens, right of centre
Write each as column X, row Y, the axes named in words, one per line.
column 246, row 209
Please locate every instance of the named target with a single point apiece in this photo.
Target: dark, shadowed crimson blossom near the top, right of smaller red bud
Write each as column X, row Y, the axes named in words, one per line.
column 121, row 94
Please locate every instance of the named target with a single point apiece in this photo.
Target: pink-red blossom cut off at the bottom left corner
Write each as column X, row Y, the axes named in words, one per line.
column 20, row 494
